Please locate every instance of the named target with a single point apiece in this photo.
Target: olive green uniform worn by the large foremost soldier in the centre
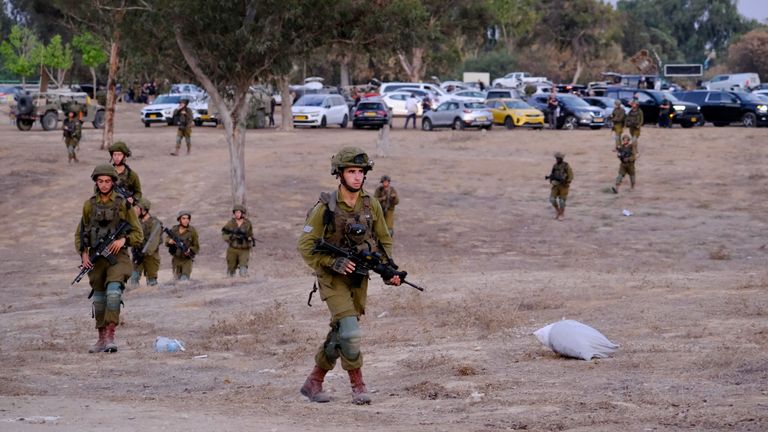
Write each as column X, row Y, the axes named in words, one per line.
column 345, row 295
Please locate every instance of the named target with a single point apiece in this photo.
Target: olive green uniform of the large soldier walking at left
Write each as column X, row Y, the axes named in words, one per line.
column 99, row 220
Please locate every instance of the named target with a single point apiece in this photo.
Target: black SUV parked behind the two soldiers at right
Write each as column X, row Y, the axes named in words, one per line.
column 686, row 114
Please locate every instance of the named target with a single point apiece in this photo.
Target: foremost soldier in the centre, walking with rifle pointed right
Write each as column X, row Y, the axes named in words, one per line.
column 347, row 217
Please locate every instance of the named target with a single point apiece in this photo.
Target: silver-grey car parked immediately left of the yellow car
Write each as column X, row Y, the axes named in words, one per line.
column 458, row 115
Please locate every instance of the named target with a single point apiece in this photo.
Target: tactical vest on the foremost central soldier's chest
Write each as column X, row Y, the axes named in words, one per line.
column 337, row 224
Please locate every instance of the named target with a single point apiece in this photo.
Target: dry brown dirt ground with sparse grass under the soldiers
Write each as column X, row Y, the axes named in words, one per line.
column 680, row 284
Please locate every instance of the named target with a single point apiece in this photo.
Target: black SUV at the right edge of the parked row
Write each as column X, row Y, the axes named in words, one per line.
column 726, row 107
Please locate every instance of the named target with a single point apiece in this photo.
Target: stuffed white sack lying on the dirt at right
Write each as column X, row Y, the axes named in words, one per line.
column 571, row 338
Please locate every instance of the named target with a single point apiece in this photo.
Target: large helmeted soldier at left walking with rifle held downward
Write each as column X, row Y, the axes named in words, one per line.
column 102, row 213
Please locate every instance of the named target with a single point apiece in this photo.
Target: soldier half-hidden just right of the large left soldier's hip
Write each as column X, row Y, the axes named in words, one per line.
column 146, row 256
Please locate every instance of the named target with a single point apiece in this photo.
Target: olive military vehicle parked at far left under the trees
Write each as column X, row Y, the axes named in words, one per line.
column 50, row 108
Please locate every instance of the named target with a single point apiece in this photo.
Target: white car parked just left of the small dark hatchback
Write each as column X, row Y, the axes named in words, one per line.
column 320, row 110
